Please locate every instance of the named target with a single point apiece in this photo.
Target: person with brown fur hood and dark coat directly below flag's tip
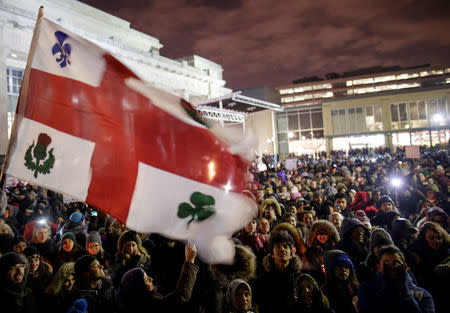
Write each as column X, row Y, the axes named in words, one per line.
column 215, row 285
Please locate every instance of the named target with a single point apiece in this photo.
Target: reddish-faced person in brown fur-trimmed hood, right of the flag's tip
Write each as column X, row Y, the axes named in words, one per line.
column 322, row 236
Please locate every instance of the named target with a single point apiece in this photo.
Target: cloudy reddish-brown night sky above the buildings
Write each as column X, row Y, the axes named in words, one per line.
column 273, row 42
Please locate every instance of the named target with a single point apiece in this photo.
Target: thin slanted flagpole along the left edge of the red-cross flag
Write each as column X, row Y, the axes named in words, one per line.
column 22, row 88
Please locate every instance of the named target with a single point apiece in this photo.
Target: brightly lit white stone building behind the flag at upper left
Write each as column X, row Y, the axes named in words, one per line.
column 192, row 77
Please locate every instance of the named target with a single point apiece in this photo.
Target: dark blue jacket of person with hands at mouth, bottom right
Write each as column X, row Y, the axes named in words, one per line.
column 380, row 296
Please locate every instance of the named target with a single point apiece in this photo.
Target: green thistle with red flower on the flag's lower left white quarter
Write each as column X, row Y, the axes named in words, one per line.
column 40, row 154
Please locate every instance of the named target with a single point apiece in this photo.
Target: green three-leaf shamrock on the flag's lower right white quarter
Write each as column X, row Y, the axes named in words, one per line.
column 203, row 207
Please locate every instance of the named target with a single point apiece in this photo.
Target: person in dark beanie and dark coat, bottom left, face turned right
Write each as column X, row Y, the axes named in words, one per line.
column 92, row 285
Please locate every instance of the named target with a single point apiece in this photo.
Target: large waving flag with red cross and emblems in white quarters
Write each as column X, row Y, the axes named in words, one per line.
column 87, row 127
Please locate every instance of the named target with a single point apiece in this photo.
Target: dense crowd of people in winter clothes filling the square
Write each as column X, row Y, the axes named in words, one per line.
column 364, row 231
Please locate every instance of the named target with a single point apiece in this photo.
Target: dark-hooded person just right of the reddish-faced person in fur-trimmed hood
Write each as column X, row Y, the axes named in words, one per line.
column 354, row 240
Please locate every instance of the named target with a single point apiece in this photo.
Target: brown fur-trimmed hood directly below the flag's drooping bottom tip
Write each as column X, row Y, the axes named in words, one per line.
column 244, row 267
